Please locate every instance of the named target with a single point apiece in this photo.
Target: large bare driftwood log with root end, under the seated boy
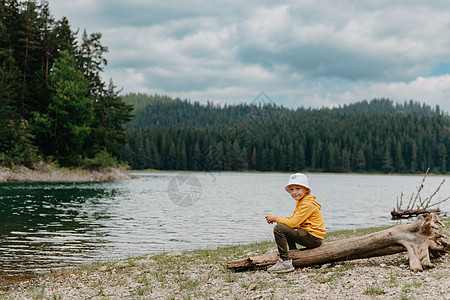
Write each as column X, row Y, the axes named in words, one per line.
column 419, row 238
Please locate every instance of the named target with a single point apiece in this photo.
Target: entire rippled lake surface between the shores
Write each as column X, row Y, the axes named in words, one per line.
column 52, row 225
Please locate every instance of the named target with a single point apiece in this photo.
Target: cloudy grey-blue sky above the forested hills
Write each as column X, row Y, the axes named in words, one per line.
column 299, row 53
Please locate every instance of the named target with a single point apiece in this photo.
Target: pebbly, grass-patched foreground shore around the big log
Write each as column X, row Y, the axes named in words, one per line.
column 201, row 274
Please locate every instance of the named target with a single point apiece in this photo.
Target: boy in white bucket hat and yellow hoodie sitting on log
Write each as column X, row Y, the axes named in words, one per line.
column 305, row 227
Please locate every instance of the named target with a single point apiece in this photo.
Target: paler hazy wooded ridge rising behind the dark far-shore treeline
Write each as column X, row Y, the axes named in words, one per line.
column 156, row 110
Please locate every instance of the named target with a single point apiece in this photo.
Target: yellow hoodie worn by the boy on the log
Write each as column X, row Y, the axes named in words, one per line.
column 307, row 215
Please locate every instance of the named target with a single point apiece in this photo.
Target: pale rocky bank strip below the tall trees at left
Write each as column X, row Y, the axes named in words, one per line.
column 47, row 173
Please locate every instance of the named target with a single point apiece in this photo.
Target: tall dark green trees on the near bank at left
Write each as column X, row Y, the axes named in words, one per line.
column 54, row 104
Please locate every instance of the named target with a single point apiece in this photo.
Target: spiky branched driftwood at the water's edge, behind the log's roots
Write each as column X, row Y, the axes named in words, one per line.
column 416, row 205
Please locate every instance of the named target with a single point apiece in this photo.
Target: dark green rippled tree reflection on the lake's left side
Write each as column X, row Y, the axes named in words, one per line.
column 49, row 225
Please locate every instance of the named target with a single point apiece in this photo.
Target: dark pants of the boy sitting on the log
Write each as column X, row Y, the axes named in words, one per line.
column 286, row 236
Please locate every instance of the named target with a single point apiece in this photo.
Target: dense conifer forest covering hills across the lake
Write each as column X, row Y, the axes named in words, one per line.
column 375, row 136
